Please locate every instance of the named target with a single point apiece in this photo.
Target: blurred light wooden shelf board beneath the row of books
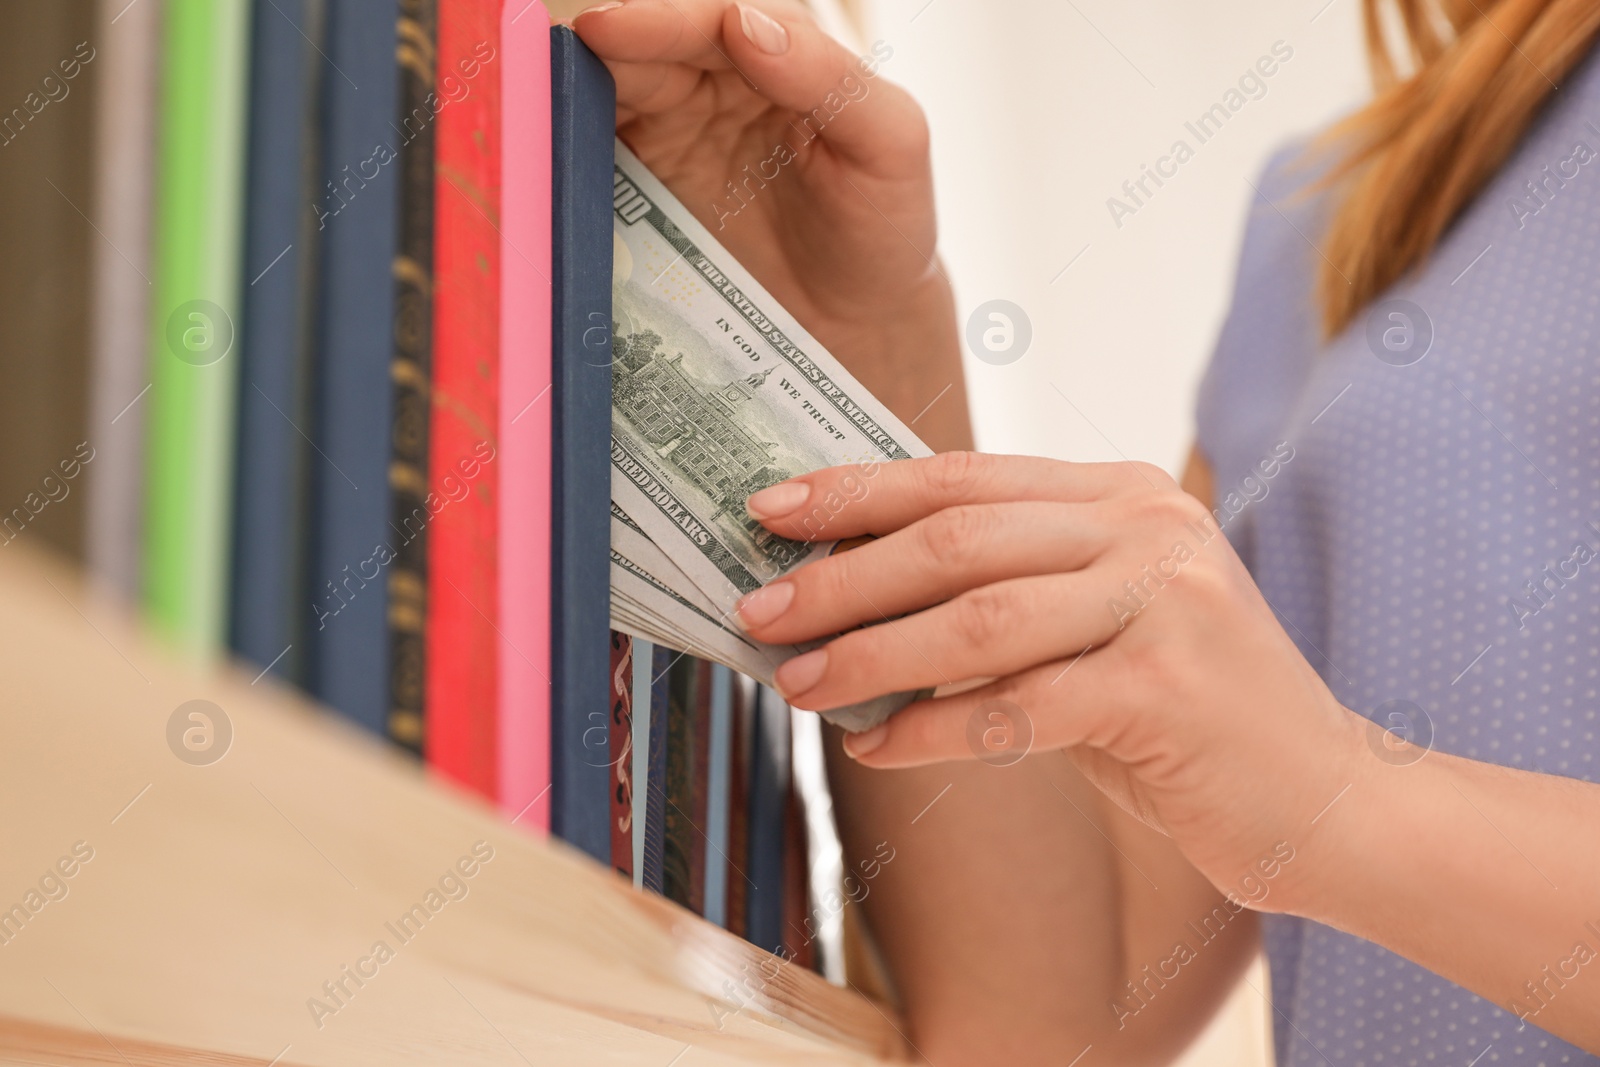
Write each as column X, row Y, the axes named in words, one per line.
column 223, row 897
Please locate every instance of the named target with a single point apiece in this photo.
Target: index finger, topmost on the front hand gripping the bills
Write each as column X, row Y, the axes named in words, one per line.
column 879, row 498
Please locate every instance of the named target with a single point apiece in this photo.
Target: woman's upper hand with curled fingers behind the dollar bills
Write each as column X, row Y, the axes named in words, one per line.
column 809, row 166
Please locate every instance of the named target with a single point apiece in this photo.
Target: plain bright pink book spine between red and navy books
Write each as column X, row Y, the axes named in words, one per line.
column 524, row 716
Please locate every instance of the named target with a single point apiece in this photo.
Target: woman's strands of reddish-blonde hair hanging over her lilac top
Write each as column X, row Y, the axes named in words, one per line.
column 1431, row 140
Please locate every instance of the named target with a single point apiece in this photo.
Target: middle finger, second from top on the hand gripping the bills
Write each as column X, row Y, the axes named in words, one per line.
column 926, row 564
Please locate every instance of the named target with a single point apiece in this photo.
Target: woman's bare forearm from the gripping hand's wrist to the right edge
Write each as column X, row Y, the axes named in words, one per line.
column 1484, row 874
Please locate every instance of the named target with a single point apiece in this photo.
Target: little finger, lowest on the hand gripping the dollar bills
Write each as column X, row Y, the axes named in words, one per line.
column 1052, row 706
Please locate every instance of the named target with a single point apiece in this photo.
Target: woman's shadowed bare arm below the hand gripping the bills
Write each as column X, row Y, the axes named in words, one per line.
column 1022, row 903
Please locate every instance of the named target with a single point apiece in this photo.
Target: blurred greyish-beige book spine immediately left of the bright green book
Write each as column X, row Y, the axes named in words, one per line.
column 126, row 102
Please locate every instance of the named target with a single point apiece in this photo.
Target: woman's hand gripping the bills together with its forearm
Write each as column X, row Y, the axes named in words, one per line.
column 1191, row 709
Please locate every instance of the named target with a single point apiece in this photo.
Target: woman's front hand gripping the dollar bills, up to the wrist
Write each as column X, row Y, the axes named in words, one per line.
column 1113, row 618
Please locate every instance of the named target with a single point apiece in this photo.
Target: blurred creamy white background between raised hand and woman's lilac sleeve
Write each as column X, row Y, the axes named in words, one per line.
column 1041, row 110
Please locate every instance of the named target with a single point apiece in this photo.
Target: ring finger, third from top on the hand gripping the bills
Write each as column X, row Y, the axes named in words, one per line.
column 988, row 633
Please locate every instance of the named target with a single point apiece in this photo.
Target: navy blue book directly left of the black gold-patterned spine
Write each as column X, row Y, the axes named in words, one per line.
column 359, row 218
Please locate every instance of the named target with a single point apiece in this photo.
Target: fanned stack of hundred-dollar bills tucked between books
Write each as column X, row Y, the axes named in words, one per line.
column 719, row 393
